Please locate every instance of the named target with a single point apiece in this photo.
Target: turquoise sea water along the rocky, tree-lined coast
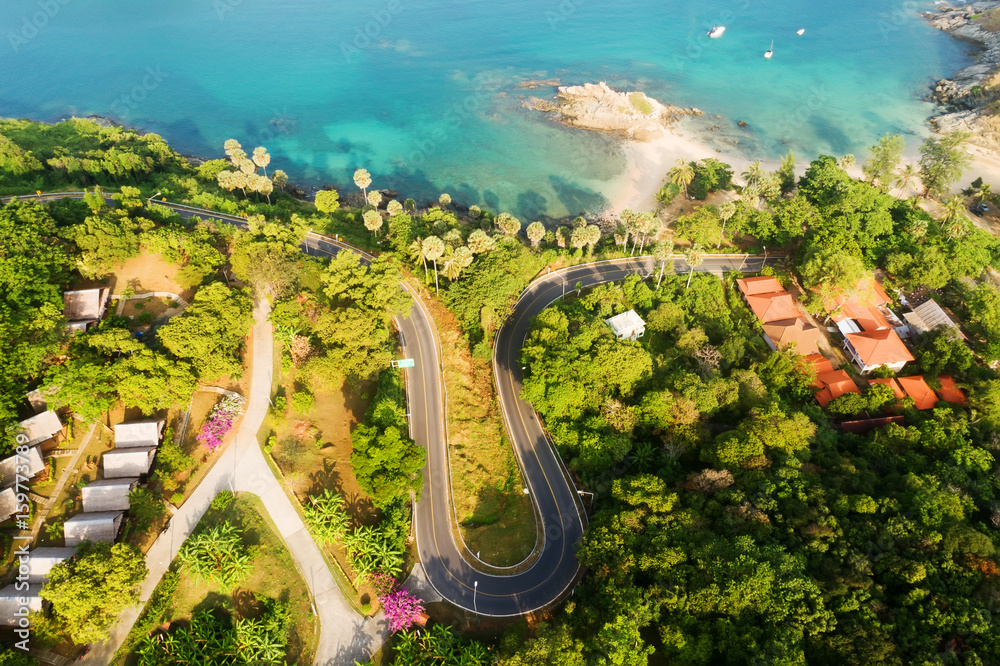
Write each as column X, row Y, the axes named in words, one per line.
column 426, row 96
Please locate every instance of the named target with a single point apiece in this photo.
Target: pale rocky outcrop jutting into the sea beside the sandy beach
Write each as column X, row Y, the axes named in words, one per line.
column 595, row 106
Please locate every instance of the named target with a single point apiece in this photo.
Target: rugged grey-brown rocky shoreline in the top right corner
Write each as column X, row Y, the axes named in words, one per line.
column 970, row 95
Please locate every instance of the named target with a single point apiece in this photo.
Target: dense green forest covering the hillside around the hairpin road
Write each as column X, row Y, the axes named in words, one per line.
column 734, row 520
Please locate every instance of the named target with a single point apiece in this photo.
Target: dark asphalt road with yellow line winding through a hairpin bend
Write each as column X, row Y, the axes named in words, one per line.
column 555, row 569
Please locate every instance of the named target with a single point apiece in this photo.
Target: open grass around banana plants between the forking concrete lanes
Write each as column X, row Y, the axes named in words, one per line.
column 180, row 594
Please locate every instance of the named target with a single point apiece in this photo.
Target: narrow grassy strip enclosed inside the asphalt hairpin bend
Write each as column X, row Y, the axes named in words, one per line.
column 495, row 516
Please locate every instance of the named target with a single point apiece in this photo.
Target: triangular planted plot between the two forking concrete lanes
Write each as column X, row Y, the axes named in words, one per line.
column 233, row 595
